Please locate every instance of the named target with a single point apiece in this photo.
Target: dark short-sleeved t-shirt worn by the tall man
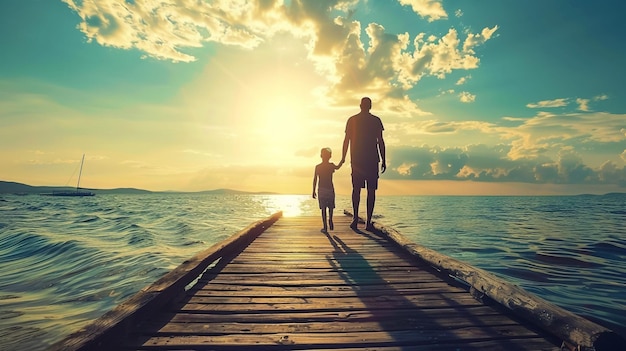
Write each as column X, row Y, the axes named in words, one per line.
column 363, row 130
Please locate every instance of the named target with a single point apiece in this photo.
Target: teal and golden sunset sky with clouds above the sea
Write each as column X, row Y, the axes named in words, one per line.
column 476, row 98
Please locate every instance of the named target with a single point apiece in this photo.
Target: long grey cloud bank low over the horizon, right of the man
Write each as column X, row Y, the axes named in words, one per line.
column 490, row 163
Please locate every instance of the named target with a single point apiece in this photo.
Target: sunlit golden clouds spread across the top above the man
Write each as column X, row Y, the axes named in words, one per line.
column 385, row 69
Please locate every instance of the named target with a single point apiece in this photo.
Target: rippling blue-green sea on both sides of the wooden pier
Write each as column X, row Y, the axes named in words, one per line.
column 66, row 261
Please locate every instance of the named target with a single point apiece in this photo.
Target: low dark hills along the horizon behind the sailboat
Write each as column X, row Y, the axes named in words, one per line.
column 24, row 189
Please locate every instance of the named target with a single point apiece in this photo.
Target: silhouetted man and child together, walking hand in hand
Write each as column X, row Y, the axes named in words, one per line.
column 364, row 138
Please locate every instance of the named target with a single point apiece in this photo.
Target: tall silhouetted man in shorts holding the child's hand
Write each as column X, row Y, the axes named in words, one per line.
column 364, row 136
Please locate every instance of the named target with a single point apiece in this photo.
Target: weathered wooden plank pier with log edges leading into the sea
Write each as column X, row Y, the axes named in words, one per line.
column 281, row 284
